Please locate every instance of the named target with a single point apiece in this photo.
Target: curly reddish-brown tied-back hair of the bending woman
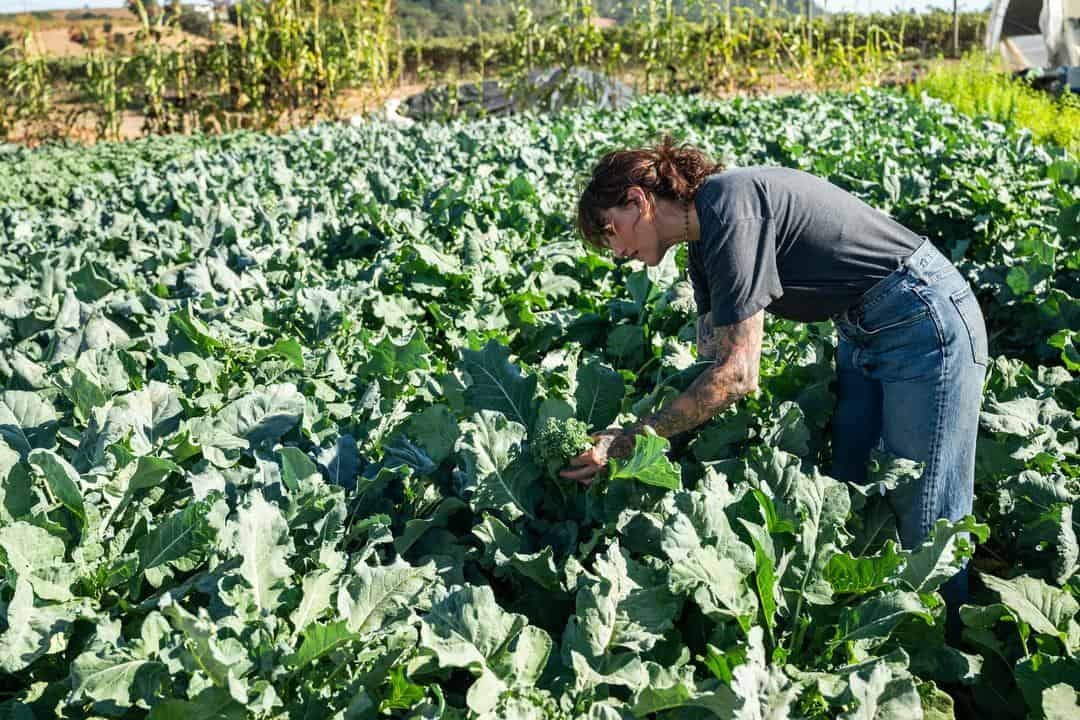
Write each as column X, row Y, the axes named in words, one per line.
column 666, row 171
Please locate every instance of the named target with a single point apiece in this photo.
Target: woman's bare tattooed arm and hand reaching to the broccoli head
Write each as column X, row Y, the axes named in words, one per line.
column 736, row 351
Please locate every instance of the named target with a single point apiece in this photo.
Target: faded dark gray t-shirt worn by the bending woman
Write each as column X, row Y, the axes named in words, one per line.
column 789, row 242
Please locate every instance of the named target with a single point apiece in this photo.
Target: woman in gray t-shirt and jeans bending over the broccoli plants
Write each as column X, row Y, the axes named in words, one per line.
column 912, row 355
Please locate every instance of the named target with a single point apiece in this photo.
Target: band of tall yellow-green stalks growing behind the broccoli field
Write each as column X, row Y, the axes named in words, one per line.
column 282, row 64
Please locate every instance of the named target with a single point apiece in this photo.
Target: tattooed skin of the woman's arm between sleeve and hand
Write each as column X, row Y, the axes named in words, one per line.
column 736, row 351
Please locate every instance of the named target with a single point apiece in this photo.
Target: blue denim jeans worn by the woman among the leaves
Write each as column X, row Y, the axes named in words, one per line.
column 911, row 365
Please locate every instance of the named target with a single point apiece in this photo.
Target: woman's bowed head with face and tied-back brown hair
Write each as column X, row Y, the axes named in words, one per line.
column 637, row 201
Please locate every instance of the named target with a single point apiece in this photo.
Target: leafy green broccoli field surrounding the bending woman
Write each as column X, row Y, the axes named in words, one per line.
column 271, row 407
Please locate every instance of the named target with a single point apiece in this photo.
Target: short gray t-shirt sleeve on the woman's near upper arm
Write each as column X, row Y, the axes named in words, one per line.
column 739, row 262
